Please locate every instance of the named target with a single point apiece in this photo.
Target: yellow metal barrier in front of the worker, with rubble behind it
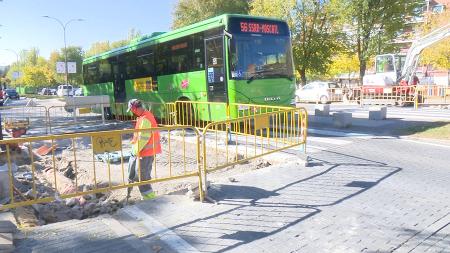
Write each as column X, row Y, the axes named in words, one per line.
column 72, row 165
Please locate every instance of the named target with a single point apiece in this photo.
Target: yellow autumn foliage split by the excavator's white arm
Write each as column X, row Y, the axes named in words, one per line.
column 438, row 55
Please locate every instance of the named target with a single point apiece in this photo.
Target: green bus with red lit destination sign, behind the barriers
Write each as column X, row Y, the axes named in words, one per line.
column 233, row 59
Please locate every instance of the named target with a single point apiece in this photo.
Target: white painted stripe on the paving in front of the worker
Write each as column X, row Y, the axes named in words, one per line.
column 166, row 235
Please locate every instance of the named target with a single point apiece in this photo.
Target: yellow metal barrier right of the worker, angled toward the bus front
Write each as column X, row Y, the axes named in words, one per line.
column 234, row 141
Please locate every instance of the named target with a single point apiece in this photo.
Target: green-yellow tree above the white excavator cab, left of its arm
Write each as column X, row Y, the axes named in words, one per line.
column 371, row 25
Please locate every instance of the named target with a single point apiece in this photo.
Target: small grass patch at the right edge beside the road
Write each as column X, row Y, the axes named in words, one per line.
column 436, row 130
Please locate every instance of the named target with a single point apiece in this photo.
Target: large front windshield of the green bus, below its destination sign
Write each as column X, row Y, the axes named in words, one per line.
column 256, row 56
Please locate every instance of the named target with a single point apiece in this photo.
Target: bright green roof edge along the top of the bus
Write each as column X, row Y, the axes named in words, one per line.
column 158, row 37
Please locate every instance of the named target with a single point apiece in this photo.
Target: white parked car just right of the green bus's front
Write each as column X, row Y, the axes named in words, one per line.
column 323, row 92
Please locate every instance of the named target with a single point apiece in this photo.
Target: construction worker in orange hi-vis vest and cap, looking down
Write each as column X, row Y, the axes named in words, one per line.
column 146, row 144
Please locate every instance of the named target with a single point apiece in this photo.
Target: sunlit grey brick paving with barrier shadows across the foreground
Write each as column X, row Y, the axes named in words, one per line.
column 359, row 195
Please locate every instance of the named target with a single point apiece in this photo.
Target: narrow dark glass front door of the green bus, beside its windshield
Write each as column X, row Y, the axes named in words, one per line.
column 215, row 70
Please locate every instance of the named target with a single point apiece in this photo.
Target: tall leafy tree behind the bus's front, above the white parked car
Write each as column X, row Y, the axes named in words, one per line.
column 315, row 34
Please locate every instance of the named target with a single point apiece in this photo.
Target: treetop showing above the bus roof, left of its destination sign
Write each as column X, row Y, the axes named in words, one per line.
column 191, row 11
